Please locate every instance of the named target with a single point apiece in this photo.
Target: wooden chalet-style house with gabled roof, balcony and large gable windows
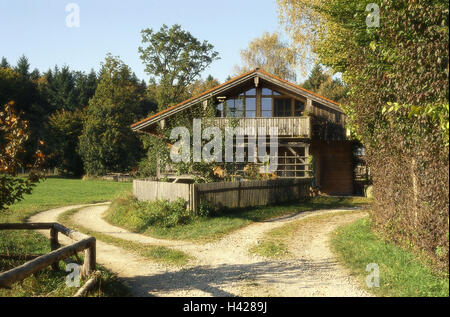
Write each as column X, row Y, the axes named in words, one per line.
column 308, row 124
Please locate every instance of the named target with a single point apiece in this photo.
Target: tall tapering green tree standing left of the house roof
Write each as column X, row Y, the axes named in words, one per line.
column 107, row 143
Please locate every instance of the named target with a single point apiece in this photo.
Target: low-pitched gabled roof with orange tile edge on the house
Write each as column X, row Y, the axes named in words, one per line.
column 231, row 84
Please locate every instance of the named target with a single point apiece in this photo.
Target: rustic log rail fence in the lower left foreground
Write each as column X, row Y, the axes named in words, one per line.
column 83, row 242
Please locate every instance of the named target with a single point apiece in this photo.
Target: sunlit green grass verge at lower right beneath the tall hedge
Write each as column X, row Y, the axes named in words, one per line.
column 401, row 272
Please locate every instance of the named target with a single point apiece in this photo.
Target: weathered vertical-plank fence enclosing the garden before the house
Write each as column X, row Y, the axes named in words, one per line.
column 225, row 194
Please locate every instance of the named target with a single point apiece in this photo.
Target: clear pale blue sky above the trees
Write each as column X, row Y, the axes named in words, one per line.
column 37, row 28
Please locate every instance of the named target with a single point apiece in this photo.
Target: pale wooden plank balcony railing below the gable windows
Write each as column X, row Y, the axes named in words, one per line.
column 296, row 127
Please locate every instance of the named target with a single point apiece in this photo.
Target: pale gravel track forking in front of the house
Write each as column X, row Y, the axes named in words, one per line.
column 225, row 267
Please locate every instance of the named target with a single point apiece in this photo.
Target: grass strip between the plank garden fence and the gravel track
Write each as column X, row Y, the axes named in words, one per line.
column 204, row 229
